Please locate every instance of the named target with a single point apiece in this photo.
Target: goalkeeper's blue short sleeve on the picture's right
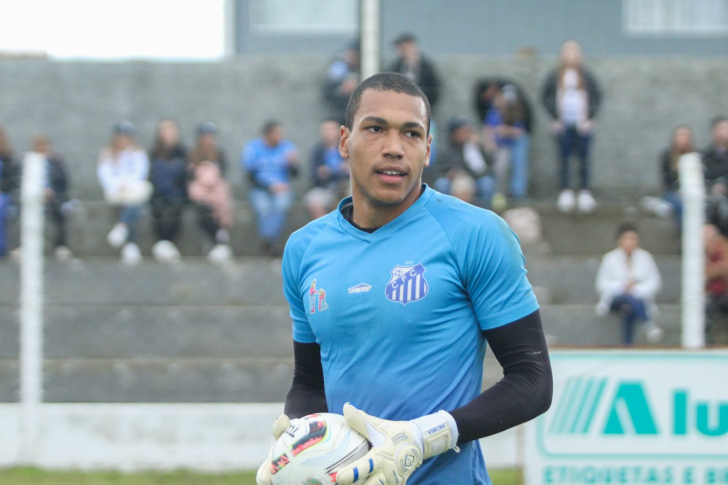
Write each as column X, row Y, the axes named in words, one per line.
column 495, row 274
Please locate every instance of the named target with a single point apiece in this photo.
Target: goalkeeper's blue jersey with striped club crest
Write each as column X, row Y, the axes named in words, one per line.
column 399, row 313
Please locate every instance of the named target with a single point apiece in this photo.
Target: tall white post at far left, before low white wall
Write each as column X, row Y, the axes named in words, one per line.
column 31, row 303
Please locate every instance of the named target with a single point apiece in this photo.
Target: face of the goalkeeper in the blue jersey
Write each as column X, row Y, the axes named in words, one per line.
column 388, row 148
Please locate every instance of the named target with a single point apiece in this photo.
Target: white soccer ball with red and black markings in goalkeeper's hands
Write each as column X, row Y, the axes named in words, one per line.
column 314, row 448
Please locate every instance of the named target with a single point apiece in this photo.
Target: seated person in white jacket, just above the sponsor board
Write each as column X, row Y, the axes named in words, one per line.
column 627, row 282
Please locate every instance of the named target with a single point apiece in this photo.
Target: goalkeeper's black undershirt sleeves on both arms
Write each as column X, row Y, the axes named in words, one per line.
column 523, row 393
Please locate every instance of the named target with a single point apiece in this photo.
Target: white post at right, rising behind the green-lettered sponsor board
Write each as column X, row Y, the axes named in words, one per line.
column 692, row 191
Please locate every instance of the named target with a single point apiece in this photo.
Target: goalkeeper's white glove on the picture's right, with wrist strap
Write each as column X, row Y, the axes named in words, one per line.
column 398, row 447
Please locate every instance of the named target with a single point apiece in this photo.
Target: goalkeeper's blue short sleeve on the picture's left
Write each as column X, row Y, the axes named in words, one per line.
column 292, row 290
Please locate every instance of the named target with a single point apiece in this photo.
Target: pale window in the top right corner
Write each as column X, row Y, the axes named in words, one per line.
column 676, row 17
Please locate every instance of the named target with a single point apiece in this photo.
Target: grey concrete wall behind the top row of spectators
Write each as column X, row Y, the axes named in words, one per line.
column 77, row 104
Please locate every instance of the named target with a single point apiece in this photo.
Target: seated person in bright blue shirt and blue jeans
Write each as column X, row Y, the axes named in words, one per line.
column 270, row 161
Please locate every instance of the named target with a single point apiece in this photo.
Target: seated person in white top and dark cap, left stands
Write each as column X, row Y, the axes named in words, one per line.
column 123, row 171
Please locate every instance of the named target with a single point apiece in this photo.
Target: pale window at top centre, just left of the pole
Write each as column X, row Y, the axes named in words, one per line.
column 305, row 16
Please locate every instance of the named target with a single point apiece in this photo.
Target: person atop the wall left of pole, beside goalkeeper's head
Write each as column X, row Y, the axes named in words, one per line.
column 342, row 76
